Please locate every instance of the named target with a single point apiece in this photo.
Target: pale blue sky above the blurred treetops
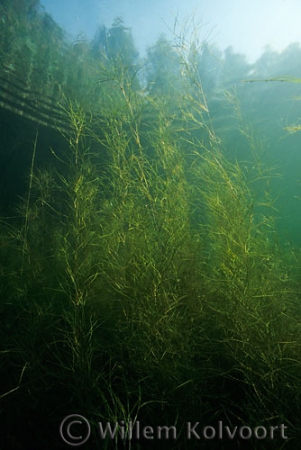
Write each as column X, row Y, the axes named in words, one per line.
column 246, row 25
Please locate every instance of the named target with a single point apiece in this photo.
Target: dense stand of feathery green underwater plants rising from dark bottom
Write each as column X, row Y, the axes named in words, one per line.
column 142, row 282
